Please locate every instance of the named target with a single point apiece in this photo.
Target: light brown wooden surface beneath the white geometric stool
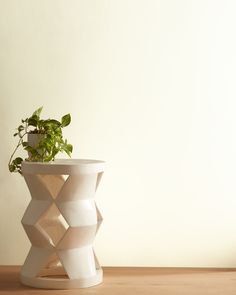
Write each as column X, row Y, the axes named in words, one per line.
column 137, row 281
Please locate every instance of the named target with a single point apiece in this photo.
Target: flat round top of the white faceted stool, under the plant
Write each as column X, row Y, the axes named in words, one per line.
column 64, row 166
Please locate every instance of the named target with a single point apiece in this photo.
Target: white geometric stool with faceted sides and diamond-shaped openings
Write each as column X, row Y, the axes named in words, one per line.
column 61, row 222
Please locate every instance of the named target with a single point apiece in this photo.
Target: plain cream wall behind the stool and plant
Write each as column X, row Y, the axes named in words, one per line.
column 150, row 85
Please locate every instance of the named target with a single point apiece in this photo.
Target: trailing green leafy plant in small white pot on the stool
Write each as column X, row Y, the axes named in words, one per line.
column 42, row 139
